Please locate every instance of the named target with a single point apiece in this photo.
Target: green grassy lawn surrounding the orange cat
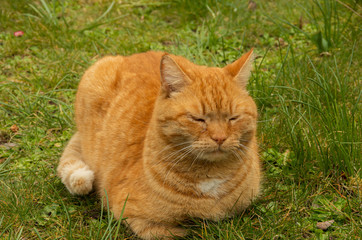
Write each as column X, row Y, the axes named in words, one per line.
column 306, row 82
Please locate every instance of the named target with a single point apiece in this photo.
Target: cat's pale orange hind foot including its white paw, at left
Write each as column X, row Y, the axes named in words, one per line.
column 73, row 171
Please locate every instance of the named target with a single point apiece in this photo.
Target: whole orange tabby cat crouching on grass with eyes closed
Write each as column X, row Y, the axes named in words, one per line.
column 175, row 139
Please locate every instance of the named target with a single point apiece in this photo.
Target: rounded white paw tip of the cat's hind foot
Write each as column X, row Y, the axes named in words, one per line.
column 81, row 181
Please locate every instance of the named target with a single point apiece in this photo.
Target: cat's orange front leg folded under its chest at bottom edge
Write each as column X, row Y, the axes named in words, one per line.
column 150, row 230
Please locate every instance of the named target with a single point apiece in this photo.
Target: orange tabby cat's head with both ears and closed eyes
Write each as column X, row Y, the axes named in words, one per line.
column 205, row 111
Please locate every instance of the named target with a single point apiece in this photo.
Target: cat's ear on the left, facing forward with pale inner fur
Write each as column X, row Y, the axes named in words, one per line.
column 173, row 79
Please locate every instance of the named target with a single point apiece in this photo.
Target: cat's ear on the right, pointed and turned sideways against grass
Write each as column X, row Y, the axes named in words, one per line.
column 241, row 68
